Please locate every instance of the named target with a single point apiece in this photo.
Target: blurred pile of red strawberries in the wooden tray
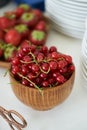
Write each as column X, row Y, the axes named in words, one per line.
column 19, row 25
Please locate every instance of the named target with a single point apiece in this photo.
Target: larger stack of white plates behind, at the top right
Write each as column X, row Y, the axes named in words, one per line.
column 68, row 16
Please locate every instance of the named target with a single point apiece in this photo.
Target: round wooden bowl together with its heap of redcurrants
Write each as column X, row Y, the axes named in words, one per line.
column 41, row 78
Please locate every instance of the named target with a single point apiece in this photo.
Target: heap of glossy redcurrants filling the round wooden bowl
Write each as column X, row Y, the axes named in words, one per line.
column 41, row 67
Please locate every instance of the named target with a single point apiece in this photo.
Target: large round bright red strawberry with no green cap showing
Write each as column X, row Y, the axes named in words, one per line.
column 13, row 37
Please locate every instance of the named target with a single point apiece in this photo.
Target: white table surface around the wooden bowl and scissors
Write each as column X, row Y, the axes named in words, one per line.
column 71, row 114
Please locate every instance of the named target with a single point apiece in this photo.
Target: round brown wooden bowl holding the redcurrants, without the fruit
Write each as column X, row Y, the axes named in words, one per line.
column 51, row 96
